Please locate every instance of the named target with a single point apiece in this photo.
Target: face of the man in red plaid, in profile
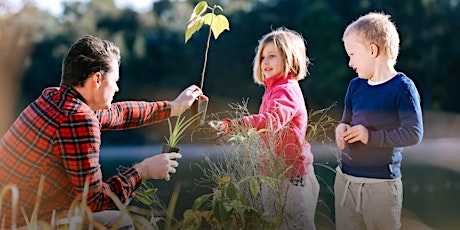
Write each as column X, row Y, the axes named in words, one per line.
column 108, row 87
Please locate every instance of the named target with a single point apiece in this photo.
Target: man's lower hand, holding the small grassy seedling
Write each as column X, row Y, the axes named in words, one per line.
column 159, row 166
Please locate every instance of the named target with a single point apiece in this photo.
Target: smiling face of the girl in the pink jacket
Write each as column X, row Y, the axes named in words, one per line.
column 271, row 61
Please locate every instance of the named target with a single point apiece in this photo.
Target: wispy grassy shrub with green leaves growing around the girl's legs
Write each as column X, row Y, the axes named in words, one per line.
column 239, row 186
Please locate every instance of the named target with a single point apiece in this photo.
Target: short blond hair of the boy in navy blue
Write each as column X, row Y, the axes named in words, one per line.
column 376, row 28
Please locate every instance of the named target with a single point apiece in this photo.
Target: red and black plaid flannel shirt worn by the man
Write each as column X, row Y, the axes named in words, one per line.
column 58, row 136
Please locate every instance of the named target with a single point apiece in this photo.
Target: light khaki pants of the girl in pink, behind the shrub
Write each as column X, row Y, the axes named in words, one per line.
column 299, row 202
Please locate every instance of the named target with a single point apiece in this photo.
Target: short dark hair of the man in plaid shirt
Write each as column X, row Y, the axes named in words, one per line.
column 88, row 55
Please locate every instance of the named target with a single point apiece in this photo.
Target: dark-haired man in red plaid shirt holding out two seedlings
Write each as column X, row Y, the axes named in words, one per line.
column 58, row 137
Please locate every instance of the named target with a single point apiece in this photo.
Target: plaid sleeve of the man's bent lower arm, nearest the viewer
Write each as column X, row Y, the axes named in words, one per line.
column 79, row 143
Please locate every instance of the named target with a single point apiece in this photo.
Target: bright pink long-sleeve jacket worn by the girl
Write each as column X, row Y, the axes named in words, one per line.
column 283, row 113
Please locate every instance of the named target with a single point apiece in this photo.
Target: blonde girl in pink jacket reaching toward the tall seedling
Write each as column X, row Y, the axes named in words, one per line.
column 280, row 62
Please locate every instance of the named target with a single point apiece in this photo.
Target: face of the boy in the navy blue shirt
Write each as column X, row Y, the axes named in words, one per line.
column 361, row 58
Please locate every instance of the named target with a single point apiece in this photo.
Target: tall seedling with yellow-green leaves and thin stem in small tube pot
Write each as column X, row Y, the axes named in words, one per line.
column 217, row 24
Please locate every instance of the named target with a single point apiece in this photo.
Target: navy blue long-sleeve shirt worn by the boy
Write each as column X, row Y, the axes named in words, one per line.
column 392, row 114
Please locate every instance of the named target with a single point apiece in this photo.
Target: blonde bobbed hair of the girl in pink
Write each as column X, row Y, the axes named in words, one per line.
column 293, row 48
